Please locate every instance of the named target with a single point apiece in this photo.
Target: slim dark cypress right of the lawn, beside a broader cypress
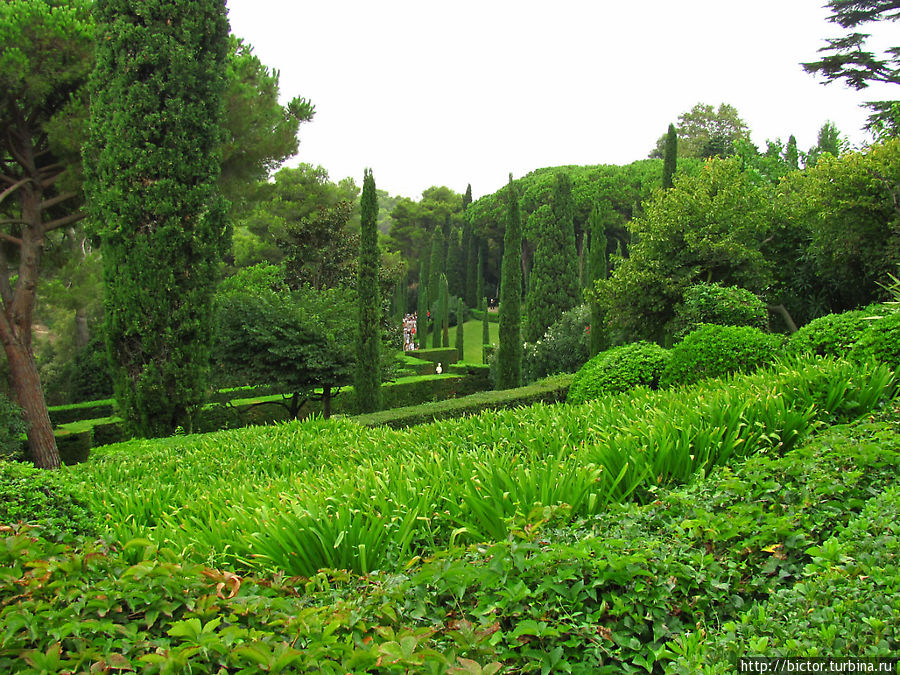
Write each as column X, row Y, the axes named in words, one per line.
column 509, row 351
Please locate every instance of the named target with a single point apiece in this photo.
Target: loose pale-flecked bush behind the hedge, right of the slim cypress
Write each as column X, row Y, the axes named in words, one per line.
column 564, row 348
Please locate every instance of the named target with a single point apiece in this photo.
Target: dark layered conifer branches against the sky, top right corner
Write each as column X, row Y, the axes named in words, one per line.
column 847, row 58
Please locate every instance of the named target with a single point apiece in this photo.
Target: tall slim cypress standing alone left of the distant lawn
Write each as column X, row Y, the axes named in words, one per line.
column 367, row 383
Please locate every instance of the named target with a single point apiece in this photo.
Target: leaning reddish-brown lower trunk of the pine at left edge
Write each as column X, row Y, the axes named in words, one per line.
column 27, row 389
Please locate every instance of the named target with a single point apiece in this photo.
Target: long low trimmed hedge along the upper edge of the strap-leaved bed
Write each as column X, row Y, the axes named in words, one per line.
column 550, row 390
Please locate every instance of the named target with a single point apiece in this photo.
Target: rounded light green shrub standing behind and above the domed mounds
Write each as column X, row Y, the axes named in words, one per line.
column 720, row 305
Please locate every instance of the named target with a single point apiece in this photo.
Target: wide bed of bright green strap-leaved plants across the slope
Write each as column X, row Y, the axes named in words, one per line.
column 259, row 499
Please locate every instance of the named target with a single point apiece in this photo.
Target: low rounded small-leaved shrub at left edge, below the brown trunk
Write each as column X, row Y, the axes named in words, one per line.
column 40, row 497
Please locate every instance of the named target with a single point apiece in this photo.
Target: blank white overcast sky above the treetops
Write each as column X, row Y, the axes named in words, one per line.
column 427, row 92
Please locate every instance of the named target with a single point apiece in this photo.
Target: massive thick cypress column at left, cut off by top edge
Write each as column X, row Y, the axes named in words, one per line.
column 152, row 165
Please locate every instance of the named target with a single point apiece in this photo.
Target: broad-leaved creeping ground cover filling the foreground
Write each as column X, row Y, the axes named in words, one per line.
column 635, row 588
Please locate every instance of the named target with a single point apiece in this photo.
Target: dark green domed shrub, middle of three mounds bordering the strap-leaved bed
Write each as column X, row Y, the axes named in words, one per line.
column 713, row 351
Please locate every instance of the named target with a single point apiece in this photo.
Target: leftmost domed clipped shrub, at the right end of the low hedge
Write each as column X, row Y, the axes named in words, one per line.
column 619, row 369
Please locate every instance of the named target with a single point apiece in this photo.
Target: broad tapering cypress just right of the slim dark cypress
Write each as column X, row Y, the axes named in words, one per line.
column 553, row 285
